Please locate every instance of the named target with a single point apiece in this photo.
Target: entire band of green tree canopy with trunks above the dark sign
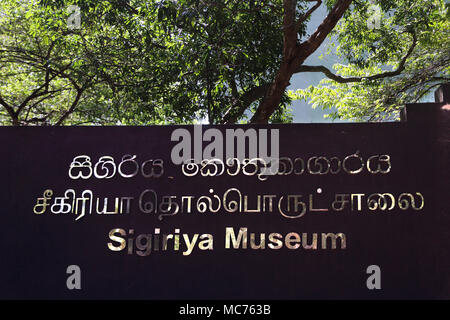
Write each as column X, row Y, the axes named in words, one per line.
column 152, row 62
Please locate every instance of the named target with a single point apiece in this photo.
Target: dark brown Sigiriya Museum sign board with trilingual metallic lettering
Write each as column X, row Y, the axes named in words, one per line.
column 393, row 214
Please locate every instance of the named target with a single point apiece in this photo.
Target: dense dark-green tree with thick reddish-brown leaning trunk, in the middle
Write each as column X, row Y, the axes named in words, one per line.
column 240, row 55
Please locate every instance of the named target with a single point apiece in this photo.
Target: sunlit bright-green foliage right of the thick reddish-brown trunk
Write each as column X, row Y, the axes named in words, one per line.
column 413, row 41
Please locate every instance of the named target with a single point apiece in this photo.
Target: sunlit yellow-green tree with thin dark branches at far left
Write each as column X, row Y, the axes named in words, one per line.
column 40, row 67
